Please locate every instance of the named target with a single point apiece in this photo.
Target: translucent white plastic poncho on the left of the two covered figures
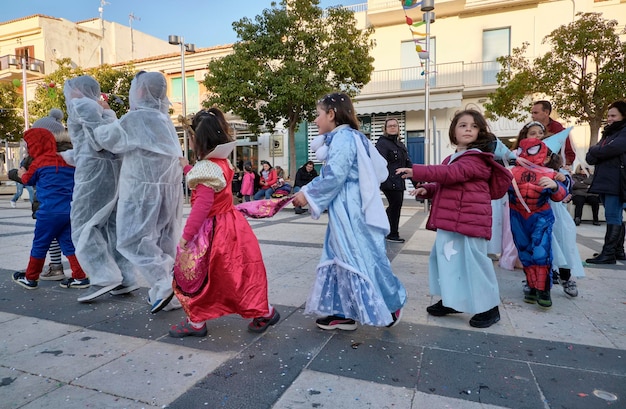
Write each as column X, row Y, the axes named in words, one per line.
column 95, row 190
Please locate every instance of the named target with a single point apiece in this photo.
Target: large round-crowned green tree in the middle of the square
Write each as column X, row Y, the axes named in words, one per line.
column 285, row 60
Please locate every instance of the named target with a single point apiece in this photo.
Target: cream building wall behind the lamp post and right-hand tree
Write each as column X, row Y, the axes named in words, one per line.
column 458, row 33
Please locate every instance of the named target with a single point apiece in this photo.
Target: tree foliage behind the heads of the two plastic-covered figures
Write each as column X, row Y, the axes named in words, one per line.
column 115, row 82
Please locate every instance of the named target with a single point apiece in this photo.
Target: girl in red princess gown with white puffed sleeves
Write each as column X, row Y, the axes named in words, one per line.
column 234, row 280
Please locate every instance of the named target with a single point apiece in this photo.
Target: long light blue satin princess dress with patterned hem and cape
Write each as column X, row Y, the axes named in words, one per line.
column 354, row 276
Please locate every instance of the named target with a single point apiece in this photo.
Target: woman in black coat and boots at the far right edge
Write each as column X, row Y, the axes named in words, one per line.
column 609, row 181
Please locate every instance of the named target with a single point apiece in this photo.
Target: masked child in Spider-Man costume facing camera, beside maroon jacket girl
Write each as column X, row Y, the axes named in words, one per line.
column 532, row 218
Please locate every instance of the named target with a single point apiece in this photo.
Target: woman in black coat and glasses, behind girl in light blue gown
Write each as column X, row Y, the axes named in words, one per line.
column 397, row 156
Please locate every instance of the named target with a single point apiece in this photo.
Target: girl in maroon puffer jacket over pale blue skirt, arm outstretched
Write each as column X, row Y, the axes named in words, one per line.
column 462, row 189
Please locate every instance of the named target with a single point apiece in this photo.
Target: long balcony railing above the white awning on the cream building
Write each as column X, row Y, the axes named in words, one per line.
column 448, row 76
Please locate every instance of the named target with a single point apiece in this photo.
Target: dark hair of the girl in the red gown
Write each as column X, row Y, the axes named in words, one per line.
column 209, row 129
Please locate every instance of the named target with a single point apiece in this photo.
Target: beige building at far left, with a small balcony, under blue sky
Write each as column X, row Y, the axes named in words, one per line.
column 30, row 47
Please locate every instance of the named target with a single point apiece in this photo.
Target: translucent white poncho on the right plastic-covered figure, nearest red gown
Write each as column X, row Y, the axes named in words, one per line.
column 149, row 209
